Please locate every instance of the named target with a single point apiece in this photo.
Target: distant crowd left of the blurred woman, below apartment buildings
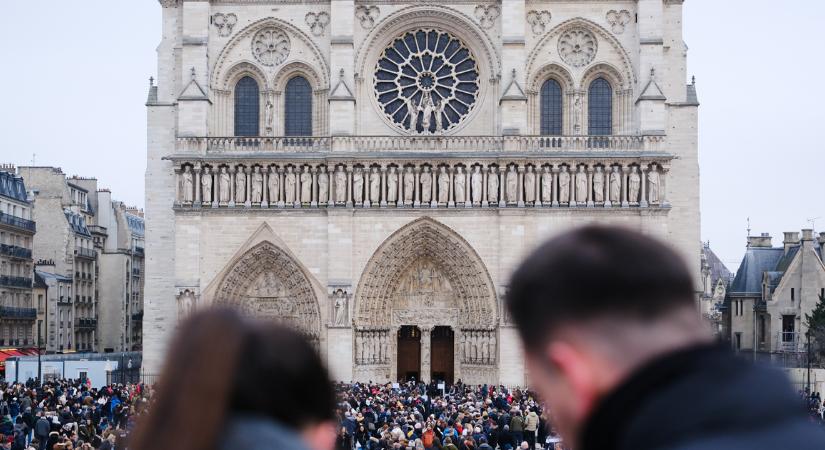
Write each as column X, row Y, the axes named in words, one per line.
column 67, row 415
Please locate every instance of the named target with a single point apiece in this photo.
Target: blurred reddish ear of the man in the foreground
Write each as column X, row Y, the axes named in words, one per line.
column 579, row 371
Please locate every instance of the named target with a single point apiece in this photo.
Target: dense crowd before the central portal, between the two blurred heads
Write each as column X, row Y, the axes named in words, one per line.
column 420, row 416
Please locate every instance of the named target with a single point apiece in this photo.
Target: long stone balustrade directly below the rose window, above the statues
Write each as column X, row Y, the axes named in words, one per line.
column 246, row 145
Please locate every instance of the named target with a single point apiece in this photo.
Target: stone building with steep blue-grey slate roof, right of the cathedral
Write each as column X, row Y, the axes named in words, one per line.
column 774, row 288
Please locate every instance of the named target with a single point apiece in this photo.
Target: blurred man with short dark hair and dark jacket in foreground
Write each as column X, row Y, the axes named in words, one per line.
column 614, row 338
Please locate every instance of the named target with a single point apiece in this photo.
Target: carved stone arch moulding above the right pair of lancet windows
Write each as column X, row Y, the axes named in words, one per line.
column 536, row 58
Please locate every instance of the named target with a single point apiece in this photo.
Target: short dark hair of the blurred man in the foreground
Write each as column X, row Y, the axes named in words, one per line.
column 592, row 272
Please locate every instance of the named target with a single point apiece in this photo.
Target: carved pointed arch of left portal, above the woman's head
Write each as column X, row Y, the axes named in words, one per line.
column 267, row 283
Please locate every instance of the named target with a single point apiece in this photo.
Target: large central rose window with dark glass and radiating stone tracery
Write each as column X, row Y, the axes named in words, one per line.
column 426, row 81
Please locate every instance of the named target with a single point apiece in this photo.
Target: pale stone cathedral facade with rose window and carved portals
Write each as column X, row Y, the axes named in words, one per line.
column 372, row 172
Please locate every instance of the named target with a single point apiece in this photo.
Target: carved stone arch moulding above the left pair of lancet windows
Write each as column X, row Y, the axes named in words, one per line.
column 315, row 56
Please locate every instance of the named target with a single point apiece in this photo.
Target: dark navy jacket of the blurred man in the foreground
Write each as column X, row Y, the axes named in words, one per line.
column 702, row 398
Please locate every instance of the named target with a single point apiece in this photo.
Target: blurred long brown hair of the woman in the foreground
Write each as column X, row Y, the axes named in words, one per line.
column 221, row 364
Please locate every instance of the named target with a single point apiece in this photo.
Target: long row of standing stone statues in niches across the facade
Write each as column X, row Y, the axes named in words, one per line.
column 423, row 182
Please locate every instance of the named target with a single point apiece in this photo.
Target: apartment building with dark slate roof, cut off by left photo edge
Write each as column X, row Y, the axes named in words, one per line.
column 17, row 230
